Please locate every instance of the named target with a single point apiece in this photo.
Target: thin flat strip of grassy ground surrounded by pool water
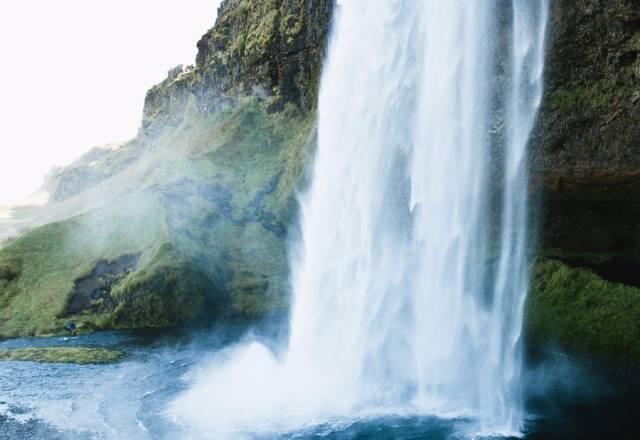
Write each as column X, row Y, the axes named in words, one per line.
column 63, row 355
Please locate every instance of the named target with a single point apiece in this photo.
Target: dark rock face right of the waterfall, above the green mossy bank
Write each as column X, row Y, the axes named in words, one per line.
column 587, row 154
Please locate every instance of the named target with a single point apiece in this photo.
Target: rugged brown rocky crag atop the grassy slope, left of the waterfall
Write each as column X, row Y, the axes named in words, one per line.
column 272, row 49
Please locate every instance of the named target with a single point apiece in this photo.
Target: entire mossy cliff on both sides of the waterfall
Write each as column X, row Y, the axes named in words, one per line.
column 189, row 220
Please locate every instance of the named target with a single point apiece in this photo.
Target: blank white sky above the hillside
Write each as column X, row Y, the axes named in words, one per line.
column 74, row 73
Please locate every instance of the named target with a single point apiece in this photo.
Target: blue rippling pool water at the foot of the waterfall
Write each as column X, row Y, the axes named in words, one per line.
column 128, row 400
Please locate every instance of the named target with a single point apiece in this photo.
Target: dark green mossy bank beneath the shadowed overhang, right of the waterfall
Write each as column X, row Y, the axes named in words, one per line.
column 583, row 312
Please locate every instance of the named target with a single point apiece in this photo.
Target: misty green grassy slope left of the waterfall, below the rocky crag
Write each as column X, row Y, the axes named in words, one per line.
column 213, row 200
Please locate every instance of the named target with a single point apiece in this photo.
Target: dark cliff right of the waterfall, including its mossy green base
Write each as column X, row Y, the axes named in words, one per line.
column 586, row 160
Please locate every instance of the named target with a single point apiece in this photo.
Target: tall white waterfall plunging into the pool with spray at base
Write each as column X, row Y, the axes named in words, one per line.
column 410, row 277
